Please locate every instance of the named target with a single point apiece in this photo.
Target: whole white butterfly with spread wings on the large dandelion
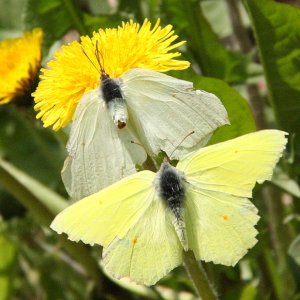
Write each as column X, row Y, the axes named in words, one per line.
column 144, row 106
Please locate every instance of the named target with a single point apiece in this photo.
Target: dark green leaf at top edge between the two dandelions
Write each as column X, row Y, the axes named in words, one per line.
column 55, row 17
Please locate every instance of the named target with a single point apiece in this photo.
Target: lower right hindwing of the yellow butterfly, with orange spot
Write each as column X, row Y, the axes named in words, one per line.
column 220, row 227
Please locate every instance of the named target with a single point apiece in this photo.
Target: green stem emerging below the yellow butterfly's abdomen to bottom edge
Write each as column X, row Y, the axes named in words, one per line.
column 198, row 277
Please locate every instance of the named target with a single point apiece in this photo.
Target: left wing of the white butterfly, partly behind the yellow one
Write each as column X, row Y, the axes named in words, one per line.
column 99, row 153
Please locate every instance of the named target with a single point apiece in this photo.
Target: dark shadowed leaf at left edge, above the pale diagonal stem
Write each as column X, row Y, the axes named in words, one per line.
column 29, row 146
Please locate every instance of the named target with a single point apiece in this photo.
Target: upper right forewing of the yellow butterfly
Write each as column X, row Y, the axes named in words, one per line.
column 235, row 166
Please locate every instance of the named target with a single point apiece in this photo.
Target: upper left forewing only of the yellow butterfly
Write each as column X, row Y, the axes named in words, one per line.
column 108, row 214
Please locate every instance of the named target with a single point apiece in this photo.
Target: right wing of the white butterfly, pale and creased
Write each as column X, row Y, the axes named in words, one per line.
column 165, row 109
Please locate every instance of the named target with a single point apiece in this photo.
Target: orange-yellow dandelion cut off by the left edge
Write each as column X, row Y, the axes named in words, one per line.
column 20, row 60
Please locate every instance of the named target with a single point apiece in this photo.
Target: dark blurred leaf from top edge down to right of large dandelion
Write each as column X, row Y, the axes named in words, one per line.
column 206, row 49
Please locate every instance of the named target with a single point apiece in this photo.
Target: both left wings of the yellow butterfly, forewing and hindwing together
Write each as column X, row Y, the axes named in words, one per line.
column 131, row 223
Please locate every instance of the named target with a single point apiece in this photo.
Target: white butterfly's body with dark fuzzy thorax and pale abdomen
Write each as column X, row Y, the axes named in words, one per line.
column 113, row 98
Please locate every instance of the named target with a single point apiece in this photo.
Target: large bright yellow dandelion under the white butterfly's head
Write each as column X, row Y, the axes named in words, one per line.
column 70, row 74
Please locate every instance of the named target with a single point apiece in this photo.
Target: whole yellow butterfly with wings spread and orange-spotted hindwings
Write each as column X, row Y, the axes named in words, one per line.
column 146, row 220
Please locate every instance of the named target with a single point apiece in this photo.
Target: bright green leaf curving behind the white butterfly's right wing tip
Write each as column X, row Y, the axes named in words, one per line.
column 237, row 108
